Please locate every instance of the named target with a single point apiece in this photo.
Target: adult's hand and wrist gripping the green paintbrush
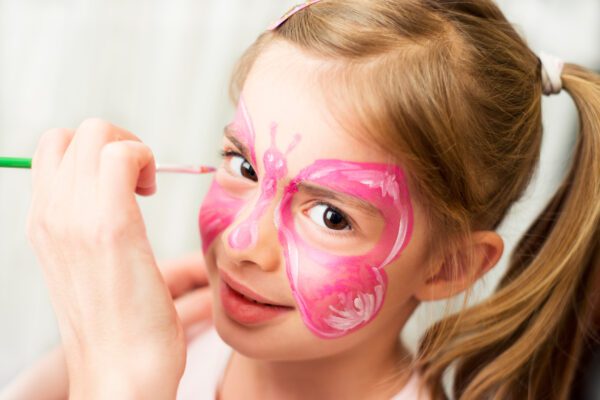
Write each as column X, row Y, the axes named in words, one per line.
column 119, row 328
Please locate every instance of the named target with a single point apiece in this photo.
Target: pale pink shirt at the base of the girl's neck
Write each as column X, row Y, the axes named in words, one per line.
column 207, row 358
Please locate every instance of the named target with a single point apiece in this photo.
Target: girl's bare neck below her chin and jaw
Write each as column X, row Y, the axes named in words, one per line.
column 375, row 370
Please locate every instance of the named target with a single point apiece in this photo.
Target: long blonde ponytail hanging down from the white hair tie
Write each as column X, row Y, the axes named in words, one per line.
column 526, row 340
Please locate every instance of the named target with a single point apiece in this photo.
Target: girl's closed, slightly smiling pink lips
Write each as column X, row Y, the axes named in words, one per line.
column 244, row 309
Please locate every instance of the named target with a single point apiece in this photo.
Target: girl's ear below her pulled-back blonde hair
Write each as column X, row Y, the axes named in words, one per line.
column 454, row 274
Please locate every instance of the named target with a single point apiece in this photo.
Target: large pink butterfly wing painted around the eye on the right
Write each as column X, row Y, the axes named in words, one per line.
column 338, row 294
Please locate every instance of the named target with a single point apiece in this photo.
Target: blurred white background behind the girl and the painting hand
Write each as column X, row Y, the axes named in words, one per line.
column 160, row 69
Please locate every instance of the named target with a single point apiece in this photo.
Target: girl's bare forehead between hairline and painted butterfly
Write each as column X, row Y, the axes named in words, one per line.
column 289, row 95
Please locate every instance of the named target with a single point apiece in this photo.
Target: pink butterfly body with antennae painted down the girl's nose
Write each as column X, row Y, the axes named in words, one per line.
column 246, row 233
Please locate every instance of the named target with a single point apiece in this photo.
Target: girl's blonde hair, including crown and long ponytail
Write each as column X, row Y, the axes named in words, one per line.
column 450, row 89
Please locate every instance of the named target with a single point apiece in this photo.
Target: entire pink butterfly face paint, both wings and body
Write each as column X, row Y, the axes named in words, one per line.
column 336, row 292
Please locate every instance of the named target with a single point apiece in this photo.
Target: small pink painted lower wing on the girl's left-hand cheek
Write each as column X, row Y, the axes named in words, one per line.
column 217, row 212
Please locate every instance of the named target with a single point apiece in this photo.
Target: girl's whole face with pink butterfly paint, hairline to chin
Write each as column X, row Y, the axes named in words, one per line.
column 312, row 240
